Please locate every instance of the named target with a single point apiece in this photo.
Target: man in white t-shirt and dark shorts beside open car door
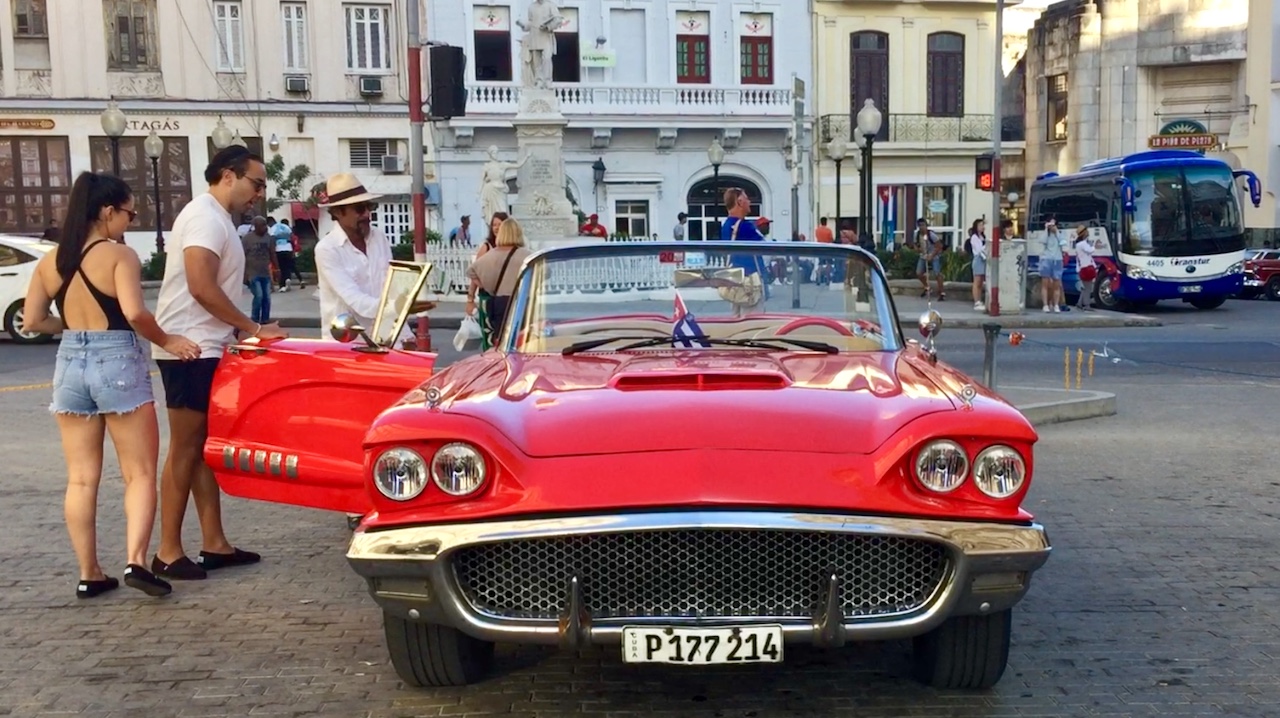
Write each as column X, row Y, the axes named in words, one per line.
column 205, row 269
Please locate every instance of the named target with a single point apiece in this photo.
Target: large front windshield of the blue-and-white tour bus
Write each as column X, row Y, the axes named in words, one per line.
column 1183, row 212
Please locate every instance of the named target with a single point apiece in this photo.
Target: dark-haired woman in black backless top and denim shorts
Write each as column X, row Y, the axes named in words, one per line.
column 102, row 379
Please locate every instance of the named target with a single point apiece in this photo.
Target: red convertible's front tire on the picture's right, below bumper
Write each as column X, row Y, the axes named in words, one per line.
column 966, row 652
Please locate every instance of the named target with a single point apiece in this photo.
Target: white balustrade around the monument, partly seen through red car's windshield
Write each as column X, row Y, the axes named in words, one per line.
column 595, row 276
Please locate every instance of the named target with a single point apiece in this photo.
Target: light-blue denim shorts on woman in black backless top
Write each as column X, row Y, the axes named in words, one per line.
column 100, row 373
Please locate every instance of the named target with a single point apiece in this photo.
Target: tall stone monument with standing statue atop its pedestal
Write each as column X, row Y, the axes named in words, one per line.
column 542, row 204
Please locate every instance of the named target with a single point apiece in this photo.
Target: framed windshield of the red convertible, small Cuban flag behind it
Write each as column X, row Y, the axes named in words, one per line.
column 740, row 296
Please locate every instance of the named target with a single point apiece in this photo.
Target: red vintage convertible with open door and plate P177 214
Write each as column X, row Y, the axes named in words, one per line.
column 700, row 458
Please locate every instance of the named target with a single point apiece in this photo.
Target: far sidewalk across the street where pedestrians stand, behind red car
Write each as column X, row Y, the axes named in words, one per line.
column 301, row 309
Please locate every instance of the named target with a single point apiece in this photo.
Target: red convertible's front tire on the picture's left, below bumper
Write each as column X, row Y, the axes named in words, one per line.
column 427, row 655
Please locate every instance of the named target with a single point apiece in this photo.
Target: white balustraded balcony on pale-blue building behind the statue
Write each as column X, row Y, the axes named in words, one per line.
column 501, row 99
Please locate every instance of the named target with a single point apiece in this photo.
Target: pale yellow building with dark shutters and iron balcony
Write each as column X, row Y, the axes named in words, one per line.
column 930, row 70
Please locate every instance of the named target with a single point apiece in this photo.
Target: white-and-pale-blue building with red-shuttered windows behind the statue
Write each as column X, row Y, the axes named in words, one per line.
column 647, row 86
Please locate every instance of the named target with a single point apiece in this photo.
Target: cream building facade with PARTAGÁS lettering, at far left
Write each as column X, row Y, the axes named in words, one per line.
column 318, row 83
